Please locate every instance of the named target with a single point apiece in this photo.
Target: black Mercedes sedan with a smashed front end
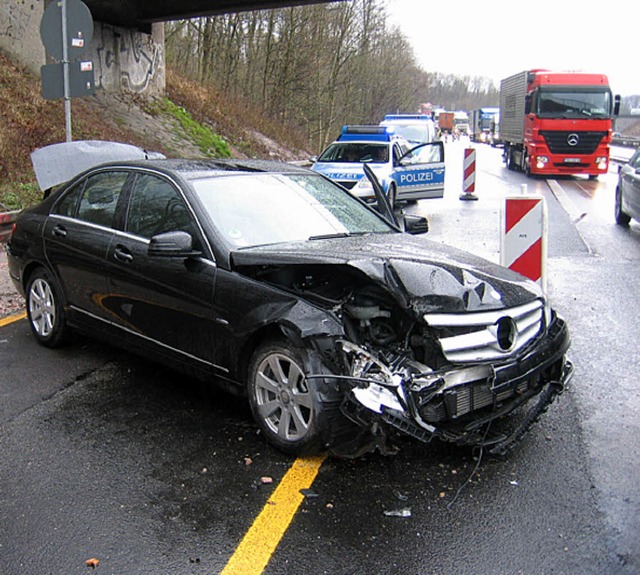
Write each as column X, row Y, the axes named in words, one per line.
column 343, row 331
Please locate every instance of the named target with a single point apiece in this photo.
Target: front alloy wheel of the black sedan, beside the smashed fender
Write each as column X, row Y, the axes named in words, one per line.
column 282, row 400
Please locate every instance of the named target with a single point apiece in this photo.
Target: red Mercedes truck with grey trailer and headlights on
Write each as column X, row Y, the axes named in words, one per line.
column 554, row 123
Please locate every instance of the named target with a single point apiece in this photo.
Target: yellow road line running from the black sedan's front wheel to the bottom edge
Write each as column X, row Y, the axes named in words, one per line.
column 259, row 543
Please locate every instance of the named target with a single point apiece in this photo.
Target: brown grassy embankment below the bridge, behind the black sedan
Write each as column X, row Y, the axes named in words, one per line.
column 28, row 122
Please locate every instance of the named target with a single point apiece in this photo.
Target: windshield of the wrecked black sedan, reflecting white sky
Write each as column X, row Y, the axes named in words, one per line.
column 256, row 209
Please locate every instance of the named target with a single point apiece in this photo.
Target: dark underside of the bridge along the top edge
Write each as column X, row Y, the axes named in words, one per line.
column 141, row 14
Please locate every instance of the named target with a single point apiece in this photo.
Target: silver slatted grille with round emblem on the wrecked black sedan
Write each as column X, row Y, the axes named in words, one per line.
column 487, row 336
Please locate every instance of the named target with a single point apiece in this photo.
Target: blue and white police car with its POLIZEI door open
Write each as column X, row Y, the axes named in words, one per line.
column 406, row 172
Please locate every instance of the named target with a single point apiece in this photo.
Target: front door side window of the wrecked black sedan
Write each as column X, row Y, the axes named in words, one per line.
column 156, row 206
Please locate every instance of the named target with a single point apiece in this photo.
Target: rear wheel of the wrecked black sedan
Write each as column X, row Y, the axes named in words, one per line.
column 45, row 310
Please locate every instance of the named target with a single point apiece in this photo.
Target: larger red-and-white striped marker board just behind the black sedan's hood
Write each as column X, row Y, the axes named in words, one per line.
column 523, row 245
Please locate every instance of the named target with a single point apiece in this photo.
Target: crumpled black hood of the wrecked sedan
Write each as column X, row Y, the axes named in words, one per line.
column 419, row 273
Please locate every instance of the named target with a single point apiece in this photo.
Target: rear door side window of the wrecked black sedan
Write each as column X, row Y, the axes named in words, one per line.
column 100, row 197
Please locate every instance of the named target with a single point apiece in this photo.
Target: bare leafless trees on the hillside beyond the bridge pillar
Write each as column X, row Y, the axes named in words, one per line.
column 316, row 67
